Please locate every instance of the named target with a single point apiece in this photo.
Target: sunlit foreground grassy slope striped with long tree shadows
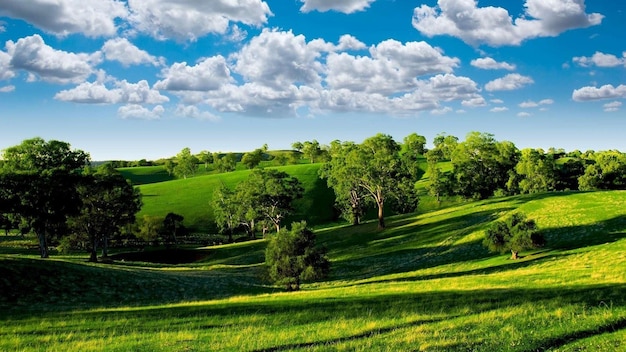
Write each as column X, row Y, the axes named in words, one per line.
column 425, row 283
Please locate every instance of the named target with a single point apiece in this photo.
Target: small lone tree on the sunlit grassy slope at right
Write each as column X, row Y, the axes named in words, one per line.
column 514, row 234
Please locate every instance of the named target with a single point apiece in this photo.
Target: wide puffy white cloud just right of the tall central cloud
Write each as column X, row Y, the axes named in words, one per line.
column 391, row 67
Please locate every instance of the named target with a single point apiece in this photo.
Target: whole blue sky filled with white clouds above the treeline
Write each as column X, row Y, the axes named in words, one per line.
column 145, row 78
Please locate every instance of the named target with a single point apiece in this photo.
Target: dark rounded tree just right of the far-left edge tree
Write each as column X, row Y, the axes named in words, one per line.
column 108, row 204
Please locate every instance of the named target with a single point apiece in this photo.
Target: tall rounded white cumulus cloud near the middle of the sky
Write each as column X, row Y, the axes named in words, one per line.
column 279, row 59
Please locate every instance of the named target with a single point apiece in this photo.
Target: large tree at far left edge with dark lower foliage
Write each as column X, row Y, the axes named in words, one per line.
column 41, row 180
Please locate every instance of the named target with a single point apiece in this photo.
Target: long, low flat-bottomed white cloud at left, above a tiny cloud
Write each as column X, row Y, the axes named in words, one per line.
column 122, row 93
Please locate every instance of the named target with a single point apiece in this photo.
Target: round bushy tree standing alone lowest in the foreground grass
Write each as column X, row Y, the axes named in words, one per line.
column 292, row 257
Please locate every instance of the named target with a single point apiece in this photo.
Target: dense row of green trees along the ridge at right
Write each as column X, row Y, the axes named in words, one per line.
column 483, row 167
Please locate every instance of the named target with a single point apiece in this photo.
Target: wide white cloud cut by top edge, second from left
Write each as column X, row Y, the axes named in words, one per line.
column 190, row 20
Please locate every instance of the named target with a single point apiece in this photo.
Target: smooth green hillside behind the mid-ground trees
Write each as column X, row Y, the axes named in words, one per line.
column 193, row 197
